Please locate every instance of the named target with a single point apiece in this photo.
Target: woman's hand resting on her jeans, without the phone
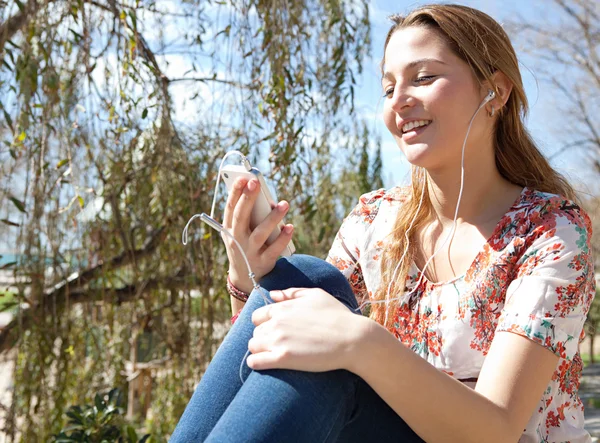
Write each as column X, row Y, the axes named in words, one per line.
column 306, row 330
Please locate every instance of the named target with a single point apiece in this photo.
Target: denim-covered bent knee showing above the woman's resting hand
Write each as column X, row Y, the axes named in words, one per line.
column 305, row 271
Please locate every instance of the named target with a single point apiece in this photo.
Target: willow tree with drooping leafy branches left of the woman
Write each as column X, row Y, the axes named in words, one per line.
column 116, row 115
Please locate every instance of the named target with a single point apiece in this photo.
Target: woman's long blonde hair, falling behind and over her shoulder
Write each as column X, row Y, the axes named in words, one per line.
column 481, row 42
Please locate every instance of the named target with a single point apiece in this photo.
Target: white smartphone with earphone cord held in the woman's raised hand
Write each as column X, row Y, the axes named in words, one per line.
column 265, row 202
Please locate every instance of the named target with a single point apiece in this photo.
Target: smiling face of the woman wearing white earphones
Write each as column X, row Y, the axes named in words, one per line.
column 430, row 97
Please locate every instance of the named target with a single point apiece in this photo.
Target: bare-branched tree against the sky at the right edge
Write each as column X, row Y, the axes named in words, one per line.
column 564, row 44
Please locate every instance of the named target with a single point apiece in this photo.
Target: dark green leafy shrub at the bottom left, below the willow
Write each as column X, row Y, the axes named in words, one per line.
column 101, row 422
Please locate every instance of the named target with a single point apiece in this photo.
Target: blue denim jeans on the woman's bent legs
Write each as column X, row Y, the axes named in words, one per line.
column 286, row 406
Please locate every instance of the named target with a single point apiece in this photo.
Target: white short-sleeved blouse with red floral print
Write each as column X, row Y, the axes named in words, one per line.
column 534, row 277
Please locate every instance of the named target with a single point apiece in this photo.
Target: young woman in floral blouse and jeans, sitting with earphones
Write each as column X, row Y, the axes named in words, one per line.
column 475, row 319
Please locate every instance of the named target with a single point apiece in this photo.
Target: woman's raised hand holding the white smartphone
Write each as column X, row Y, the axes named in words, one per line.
column 237, row 220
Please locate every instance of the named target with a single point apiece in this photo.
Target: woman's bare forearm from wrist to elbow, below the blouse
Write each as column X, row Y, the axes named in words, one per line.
column 436, row 406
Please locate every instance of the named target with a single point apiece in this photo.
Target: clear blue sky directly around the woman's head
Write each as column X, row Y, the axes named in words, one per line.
column 544, row 115
